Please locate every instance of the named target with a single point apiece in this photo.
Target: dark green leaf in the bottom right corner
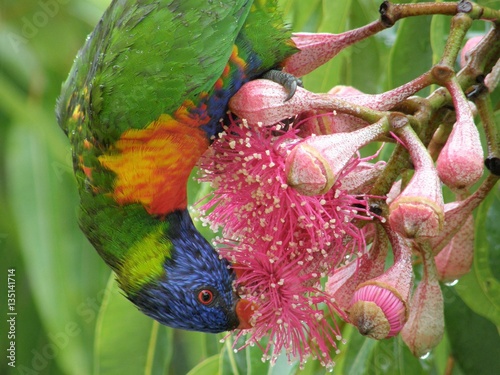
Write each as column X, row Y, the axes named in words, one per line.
column 474, row 340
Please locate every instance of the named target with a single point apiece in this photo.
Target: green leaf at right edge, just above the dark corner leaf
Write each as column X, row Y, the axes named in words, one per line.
column 480, row 288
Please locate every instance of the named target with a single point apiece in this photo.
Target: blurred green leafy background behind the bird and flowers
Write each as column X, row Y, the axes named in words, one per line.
column 70, row 317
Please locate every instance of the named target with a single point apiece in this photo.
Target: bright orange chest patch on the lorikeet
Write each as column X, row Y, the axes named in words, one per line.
column 152, row 165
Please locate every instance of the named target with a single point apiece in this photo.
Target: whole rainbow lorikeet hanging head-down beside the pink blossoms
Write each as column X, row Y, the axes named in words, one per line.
column 144, row 97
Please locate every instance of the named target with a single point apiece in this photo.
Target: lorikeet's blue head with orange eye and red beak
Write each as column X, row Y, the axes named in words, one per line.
column 196, row 292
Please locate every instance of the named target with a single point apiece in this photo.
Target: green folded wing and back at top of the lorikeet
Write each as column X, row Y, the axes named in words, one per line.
column 147, row 57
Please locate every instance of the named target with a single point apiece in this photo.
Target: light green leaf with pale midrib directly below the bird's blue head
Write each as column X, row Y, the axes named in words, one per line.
column 127, row 341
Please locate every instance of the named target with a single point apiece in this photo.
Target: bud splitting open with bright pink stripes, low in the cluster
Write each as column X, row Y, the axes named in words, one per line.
column 379, row 307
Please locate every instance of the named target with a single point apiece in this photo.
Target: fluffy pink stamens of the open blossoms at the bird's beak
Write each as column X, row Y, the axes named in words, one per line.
column 281, row 242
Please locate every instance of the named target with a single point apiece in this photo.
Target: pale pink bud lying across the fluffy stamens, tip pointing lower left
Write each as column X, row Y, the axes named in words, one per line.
column 314, row 164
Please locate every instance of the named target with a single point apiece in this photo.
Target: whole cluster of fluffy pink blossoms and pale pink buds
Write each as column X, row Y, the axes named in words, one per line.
column 290, row 194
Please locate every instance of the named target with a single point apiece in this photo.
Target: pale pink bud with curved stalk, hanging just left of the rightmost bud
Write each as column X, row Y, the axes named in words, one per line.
column 419, row 210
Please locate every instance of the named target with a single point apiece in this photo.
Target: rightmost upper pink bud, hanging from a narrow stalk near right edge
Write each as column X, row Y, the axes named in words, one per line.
column 460, row 163
